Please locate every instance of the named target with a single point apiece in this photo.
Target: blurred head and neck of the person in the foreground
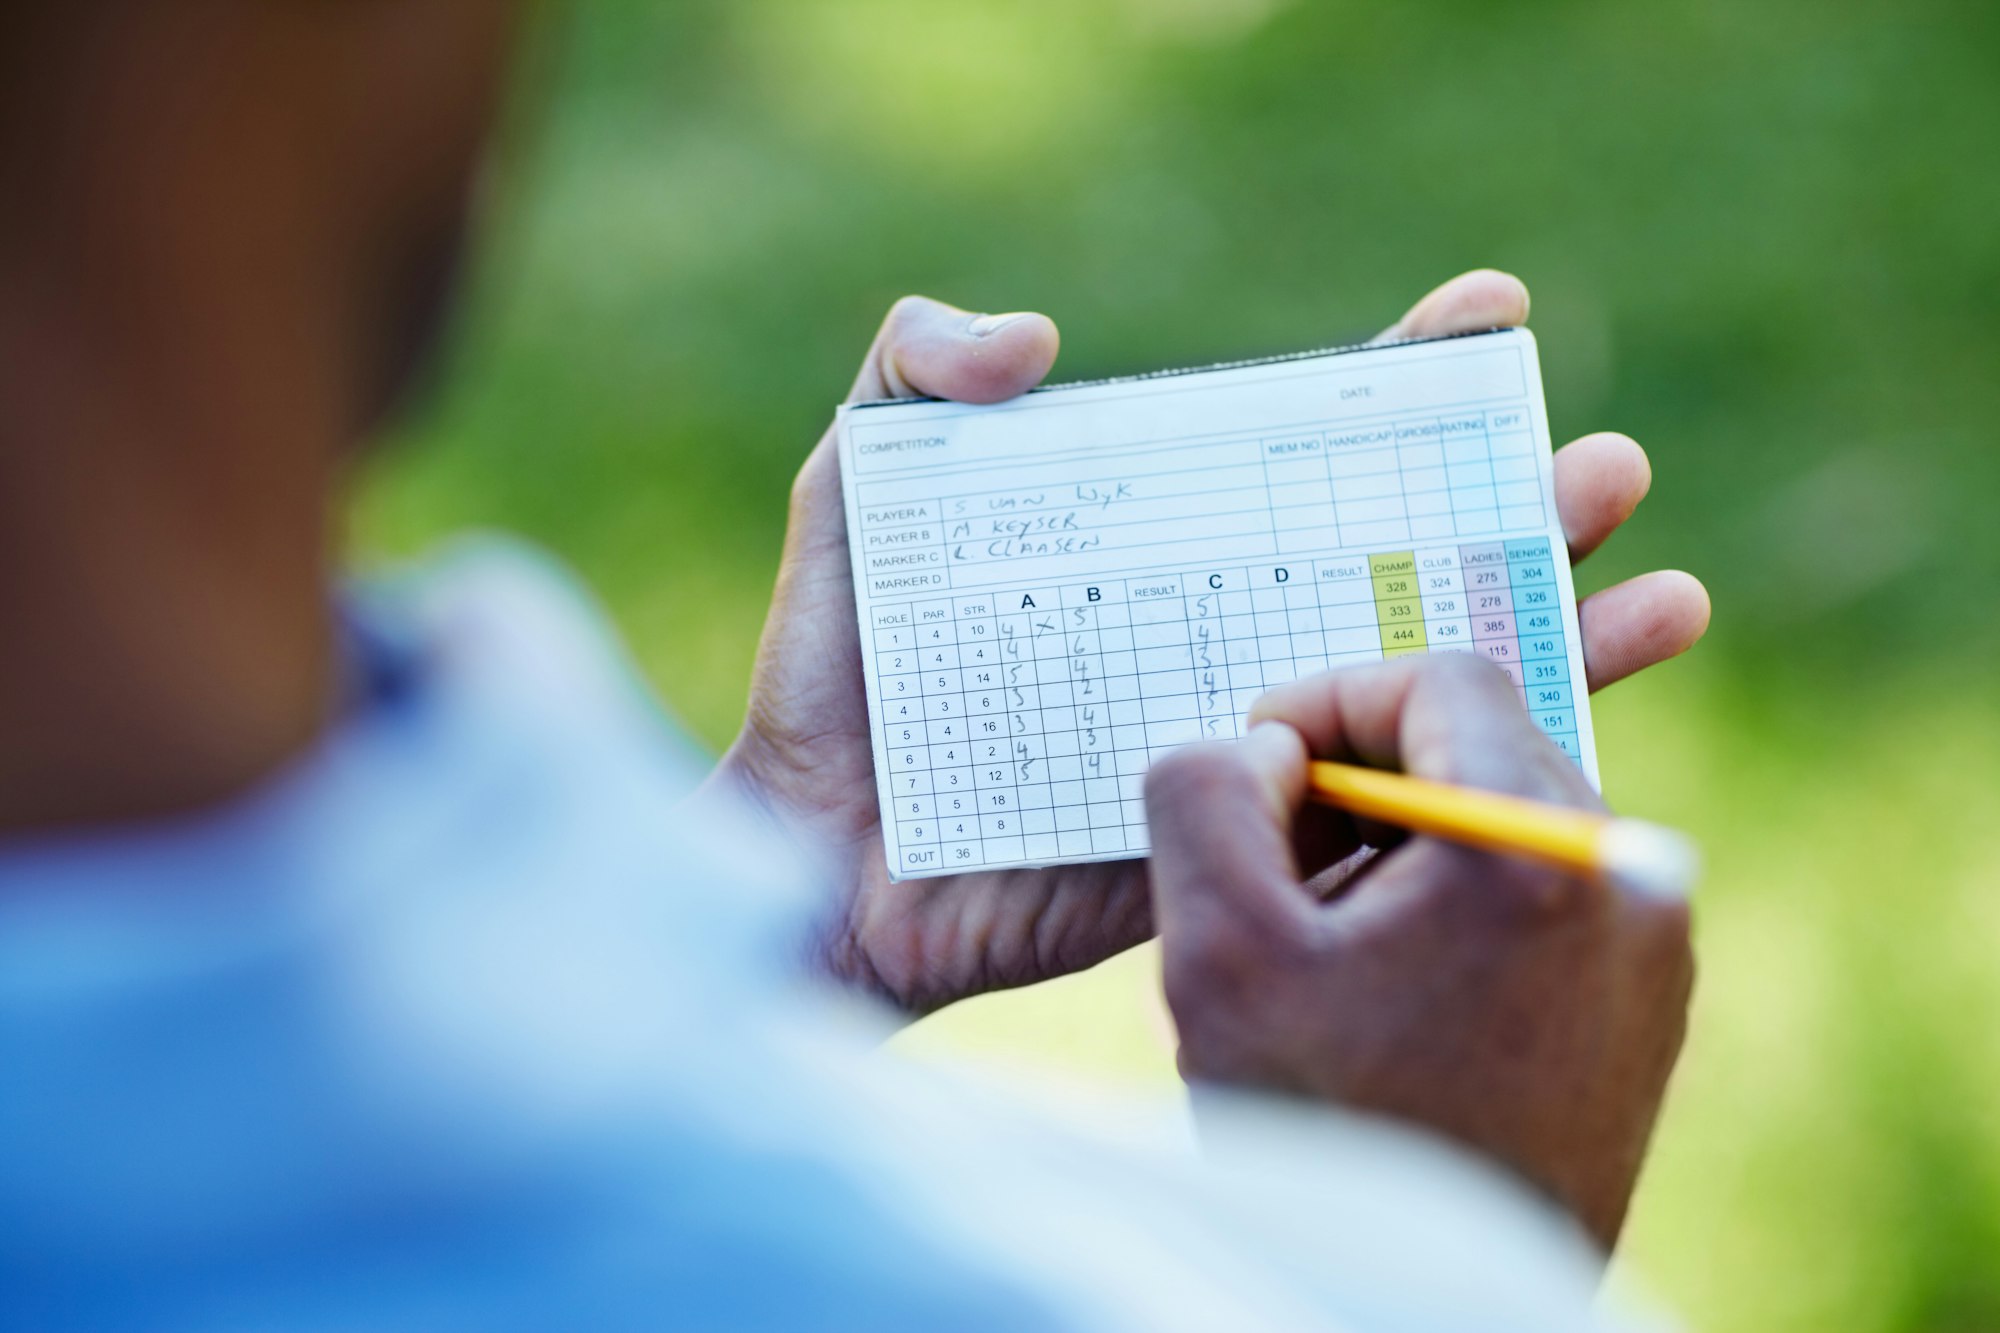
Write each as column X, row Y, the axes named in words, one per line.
column 227, row 241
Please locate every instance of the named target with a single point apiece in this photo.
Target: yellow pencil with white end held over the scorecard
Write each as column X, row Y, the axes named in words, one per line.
column 1621, row 852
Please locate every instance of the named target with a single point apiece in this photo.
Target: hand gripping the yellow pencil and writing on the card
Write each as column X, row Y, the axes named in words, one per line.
column 1521, row 1012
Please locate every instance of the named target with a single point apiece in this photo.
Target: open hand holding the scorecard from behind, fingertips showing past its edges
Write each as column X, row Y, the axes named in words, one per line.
column 805, row 750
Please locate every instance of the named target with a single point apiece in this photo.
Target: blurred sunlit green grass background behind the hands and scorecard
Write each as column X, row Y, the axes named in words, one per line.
column 1763, row 237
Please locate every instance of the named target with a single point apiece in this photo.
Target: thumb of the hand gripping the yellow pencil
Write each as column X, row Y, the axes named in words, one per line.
column 1223, row 872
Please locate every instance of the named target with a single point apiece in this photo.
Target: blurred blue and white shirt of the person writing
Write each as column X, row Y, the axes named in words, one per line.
column 471, row 1024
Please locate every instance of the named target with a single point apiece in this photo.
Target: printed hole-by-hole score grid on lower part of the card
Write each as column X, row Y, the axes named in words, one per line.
column 1021, row 724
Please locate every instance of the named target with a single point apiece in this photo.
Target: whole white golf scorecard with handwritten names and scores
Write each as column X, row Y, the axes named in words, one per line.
column 1059, row 589
